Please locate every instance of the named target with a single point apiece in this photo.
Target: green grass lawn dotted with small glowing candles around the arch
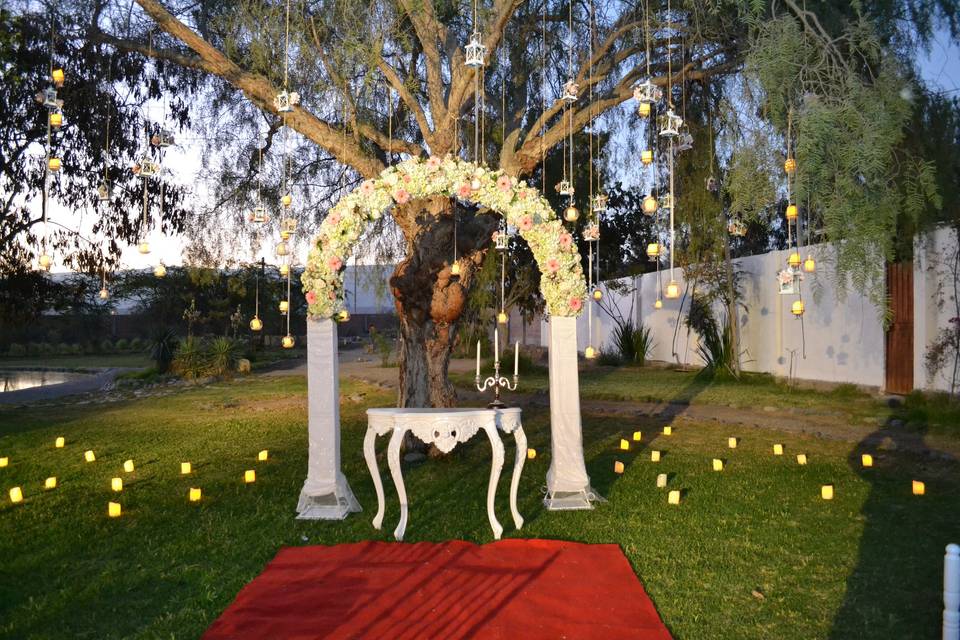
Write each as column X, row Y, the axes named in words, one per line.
column 752, row 551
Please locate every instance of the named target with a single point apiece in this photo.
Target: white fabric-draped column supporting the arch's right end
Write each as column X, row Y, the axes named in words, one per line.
column 568, row 486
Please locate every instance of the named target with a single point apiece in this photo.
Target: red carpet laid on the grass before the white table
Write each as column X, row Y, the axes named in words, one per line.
column 523, row 589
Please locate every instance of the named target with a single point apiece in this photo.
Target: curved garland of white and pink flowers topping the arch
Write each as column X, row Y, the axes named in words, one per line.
column 553, row 247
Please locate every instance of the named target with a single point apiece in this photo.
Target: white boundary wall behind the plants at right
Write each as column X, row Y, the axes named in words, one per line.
column 844, row 338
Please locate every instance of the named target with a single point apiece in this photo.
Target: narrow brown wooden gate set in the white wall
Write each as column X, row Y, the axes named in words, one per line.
column 899, row 338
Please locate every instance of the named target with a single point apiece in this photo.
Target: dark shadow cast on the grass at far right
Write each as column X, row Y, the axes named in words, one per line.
column 888, row 594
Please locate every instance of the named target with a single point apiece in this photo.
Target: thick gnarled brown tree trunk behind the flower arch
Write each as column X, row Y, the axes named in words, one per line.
column 429, row 299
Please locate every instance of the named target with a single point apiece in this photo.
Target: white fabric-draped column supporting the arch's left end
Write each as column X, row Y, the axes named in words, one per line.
column 326, row 494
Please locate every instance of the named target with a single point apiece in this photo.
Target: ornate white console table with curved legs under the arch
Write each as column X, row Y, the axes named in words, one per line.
column 445, row 428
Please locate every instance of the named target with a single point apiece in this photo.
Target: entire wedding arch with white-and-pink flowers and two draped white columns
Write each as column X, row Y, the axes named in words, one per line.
column 326, row 494
